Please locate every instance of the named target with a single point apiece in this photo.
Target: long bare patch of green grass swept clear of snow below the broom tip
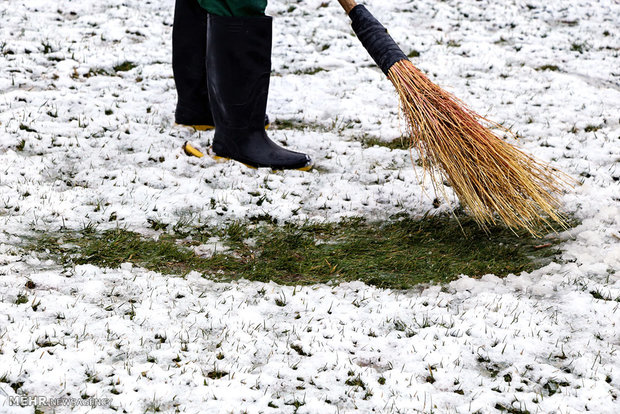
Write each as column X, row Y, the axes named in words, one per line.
column 397, row 254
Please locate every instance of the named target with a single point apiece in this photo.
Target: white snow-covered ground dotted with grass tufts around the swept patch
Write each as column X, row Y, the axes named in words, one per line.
column 83, row 143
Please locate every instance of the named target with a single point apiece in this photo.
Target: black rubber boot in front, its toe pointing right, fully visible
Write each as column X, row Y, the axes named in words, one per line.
column 238, row 69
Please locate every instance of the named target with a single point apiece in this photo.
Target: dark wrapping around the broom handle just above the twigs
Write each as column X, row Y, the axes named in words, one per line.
column 375, row 38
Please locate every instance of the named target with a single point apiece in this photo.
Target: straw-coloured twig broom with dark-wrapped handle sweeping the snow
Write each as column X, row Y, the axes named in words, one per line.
column 491, row 177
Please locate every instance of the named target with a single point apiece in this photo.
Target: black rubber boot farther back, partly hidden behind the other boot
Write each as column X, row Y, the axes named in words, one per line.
column 189, row 46
